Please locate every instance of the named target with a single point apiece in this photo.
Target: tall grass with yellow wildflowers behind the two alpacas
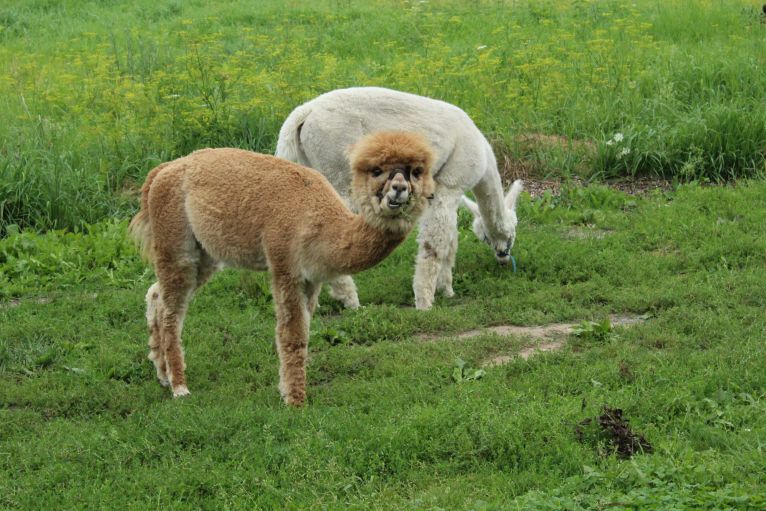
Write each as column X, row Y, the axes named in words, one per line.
column 94, row 94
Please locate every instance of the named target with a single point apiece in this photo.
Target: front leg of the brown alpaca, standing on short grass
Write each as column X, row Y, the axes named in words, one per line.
column 292, row 339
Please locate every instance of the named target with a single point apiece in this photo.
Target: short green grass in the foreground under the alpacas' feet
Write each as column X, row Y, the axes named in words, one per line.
column 84, row 424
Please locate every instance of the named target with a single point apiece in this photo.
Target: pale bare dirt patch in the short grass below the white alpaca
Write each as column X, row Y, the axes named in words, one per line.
column 550, row 337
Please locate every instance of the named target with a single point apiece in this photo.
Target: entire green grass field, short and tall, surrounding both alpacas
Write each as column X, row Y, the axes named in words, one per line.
column 401, row 413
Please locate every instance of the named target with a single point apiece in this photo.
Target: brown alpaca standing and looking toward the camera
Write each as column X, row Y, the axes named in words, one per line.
column 237, row 208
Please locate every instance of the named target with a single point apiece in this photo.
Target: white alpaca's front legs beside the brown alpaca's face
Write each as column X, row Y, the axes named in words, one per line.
column 436, row 238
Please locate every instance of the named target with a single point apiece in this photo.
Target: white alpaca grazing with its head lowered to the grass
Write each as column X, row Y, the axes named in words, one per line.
column 316, row 133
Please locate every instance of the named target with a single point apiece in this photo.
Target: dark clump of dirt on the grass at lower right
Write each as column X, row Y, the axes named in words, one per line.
column 614, row 430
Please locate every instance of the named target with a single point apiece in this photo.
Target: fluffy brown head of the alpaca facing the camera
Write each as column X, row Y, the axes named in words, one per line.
column 392, row 180
